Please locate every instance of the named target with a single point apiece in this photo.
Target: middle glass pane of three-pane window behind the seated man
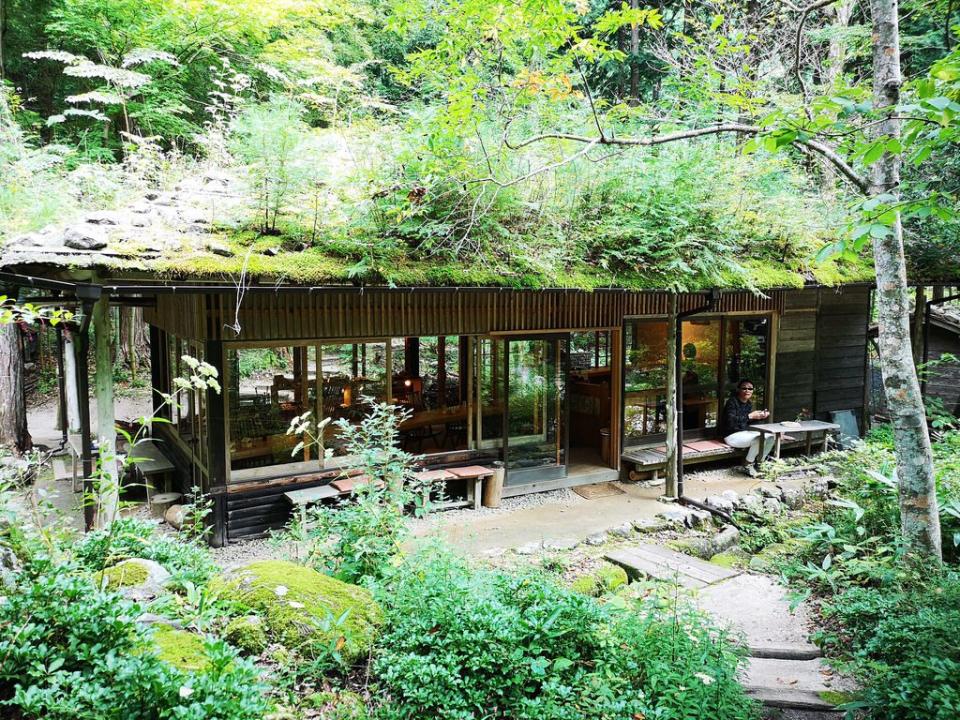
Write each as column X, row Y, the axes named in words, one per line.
column 700, row 364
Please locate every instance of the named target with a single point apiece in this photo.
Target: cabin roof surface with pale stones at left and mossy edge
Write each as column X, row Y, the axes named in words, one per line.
column 176, row 235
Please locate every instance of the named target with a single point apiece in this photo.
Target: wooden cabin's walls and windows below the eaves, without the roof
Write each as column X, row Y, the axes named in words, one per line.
column 564, row 387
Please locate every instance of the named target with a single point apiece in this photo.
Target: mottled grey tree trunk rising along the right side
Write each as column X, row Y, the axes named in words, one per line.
column 920, row 522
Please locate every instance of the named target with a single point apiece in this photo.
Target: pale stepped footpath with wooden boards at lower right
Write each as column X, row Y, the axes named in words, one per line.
column 784, row 670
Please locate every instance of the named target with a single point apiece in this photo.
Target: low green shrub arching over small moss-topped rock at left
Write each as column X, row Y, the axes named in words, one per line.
column 186, row 562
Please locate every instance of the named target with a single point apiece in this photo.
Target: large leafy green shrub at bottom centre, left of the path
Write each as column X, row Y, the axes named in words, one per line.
column 463, row 643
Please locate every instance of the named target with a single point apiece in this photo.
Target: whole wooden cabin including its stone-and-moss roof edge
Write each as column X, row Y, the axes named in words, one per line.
column 563, row 386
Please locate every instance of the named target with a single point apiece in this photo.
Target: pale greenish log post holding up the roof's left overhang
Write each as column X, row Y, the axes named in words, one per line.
column 108, row 499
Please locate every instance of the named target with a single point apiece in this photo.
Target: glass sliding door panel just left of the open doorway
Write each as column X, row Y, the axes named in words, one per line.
column 534, row 405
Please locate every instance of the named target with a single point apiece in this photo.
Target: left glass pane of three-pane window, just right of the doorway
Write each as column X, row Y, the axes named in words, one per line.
column 645, row 380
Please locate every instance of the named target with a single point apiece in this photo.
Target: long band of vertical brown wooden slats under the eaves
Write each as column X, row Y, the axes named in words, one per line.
column 292, row 316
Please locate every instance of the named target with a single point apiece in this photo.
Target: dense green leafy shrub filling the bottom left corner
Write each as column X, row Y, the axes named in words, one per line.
column 71, row 652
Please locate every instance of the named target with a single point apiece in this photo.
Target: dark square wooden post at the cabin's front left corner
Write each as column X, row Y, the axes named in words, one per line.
column 216, row 437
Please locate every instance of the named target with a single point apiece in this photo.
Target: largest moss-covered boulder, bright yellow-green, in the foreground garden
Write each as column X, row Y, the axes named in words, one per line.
column 303, row 609
